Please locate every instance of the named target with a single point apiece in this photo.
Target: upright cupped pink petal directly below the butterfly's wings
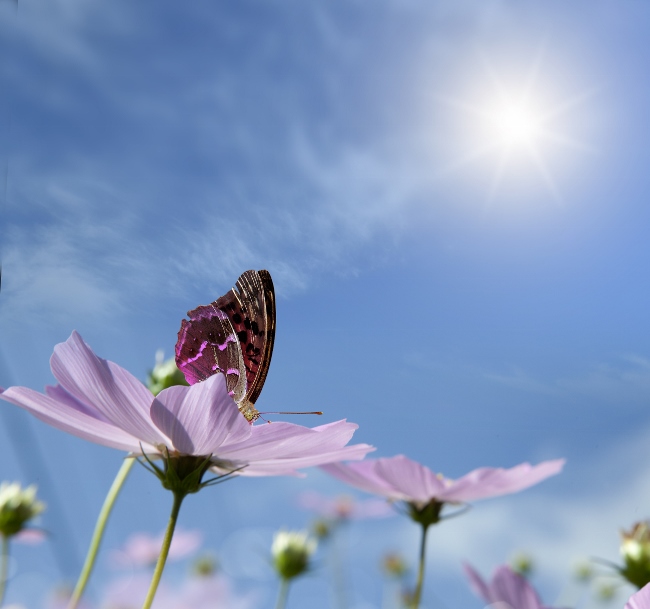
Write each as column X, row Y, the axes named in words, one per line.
column 201, row 418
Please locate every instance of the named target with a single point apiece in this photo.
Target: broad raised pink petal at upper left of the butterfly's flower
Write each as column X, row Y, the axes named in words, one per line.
column 113, row 391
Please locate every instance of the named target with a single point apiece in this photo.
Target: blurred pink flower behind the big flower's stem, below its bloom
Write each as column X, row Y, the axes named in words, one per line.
column 142, row 549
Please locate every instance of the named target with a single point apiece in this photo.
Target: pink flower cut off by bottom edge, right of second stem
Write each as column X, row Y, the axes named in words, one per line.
column 507, row 589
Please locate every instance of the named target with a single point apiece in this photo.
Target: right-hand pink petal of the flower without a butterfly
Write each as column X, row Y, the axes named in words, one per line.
column 492, row 482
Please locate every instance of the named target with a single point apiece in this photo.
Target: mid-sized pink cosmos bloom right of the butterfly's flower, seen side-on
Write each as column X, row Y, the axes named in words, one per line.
column 400, row 479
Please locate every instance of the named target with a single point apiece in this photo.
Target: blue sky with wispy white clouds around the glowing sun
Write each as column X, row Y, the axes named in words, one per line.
column 463, row 306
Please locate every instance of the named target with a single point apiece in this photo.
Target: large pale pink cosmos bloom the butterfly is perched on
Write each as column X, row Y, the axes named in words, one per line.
column 99, row 401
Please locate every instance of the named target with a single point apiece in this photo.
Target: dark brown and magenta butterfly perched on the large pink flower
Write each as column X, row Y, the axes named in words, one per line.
column 234, row 335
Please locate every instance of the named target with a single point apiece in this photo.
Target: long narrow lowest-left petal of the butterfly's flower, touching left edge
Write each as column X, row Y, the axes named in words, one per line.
column 67, row 418
